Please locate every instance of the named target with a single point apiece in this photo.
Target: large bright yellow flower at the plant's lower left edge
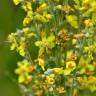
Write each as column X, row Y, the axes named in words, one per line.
column 23, row 71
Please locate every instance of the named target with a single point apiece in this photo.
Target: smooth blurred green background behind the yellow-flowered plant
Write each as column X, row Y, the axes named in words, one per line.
column 11, row 18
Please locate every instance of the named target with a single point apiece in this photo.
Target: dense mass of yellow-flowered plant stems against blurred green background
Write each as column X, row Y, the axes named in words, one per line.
column 63, row 33
